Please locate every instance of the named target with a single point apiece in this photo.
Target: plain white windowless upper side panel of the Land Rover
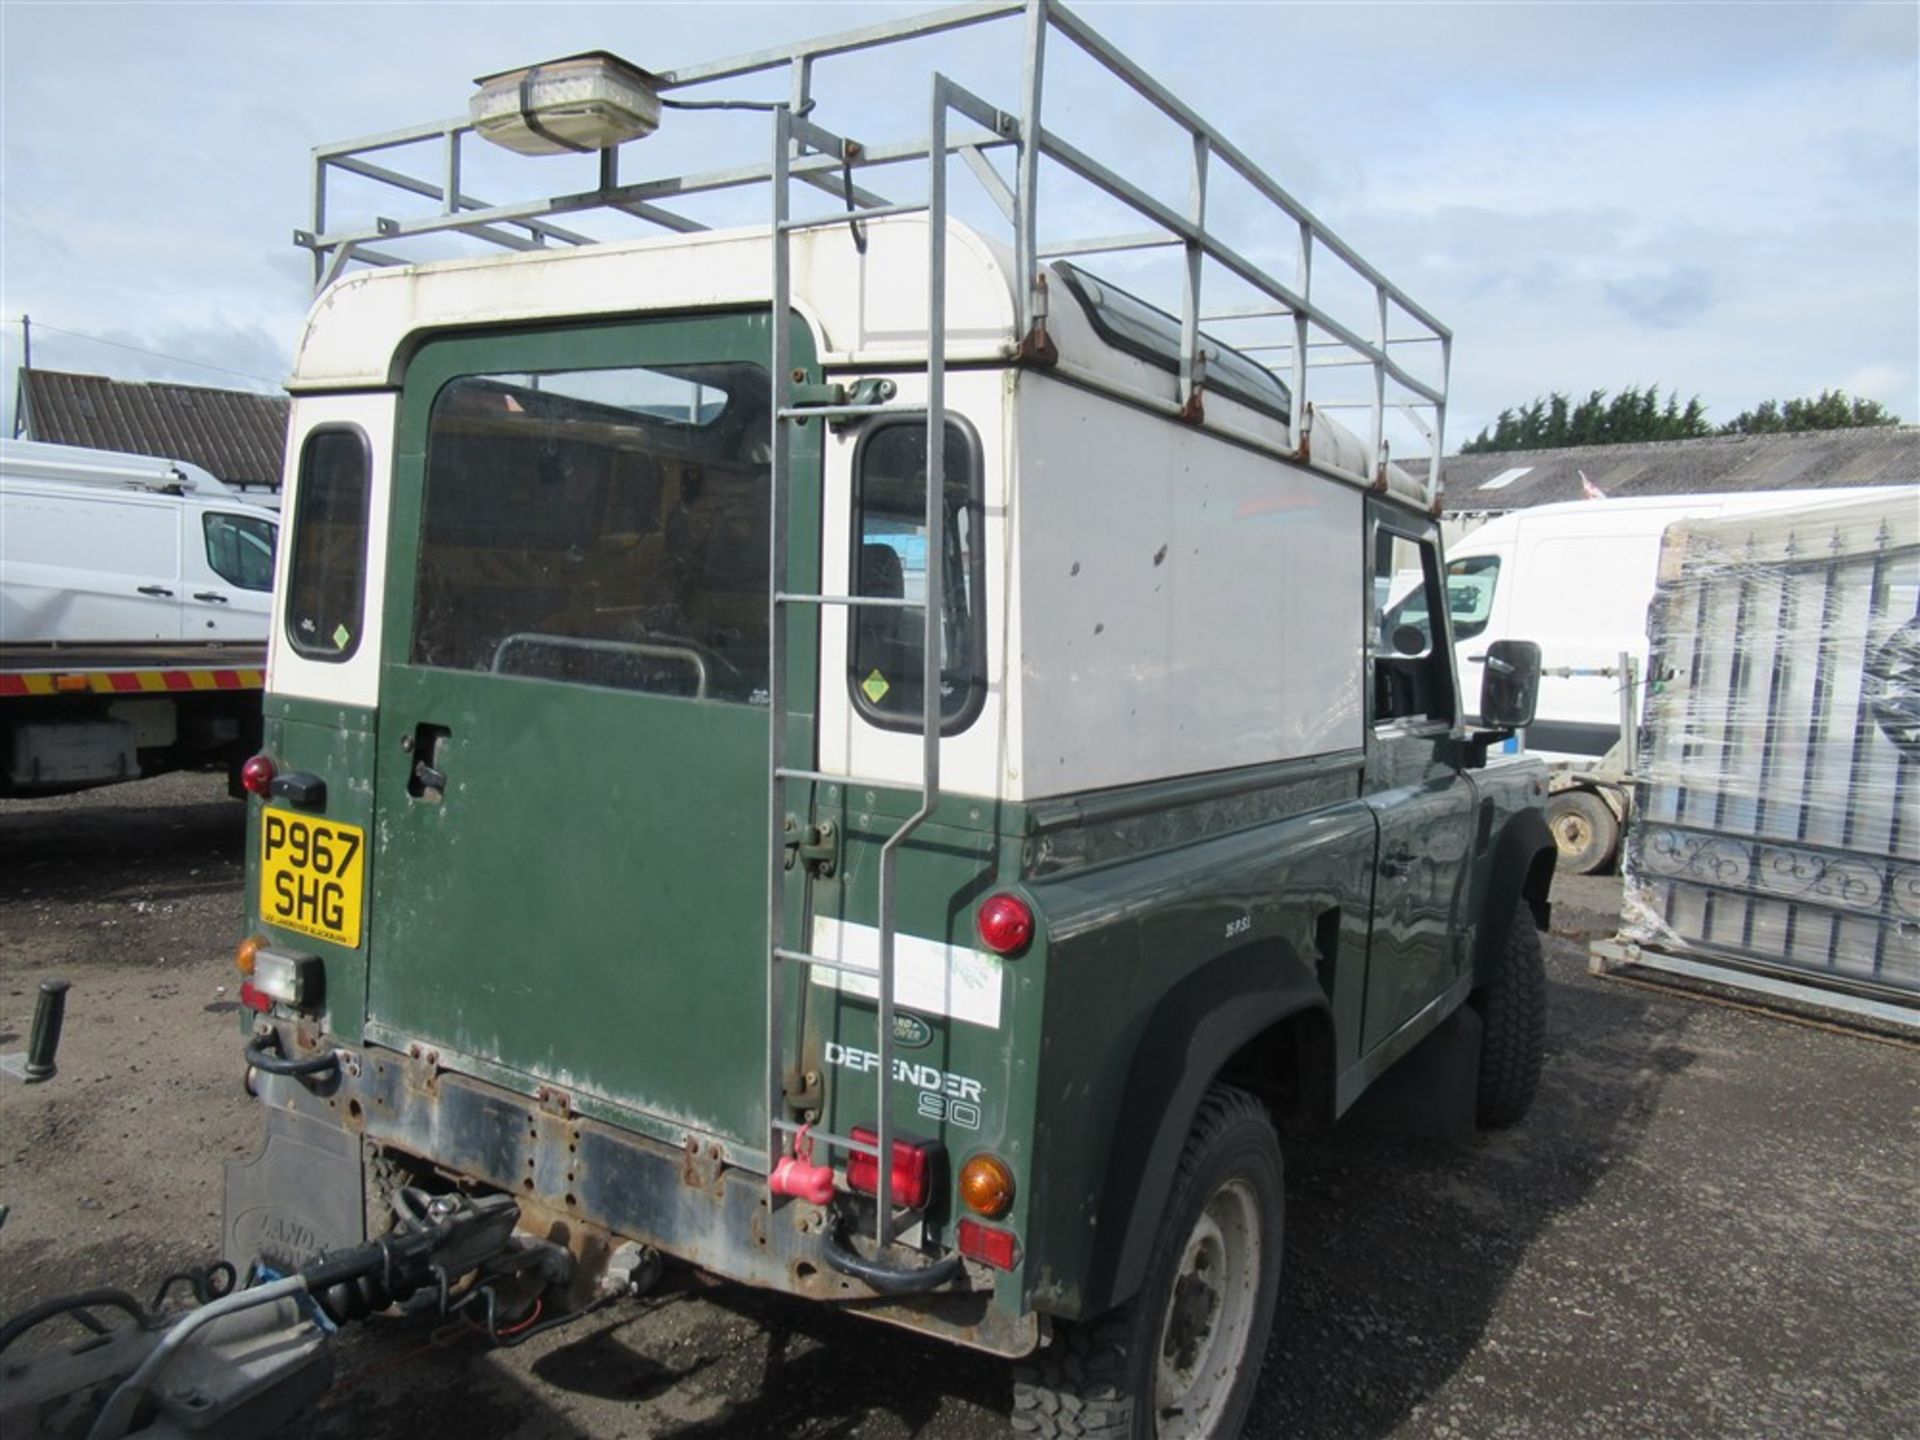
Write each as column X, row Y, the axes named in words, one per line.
column 1182, row 604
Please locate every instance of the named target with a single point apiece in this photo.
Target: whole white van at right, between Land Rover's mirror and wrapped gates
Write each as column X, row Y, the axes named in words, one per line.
column 1577, row 579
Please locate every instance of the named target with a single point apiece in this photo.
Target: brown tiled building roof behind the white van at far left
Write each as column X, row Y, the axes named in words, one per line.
column 237, row 435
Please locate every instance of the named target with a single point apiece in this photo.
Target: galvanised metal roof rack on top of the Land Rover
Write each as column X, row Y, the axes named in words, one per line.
column 1374, row 335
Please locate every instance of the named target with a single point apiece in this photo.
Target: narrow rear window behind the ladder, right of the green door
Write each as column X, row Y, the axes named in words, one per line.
column 890, row 554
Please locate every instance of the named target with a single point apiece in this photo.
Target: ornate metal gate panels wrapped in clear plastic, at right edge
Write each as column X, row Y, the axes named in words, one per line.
column 1779, row 807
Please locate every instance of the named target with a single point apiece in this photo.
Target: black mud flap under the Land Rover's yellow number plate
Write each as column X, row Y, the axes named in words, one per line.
column 297, row 1199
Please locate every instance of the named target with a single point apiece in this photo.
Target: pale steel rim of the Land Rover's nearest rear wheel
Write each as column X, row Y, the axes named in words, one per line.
column 1211, row 1316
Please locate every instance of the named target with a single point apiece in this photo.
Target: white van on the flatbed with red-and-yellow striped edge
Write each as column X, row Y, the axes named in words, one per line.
column 126, row 550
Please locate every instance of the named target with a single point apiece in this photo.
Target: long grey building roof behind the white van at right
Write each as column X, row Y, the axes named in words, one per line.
column 1806, row 460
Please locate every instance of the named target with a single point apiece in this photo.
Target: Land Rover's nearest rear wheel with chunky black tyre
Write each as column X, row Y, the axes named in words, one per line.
column 1182, row 1358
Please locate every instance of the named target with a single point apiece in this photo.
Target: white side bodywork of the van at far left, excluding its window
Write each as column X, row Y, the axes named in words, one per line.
column 84, row 564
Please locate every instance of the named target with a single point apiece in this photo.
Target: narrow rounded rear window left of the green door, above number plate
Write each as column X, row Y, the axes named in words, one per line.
column 325, row 579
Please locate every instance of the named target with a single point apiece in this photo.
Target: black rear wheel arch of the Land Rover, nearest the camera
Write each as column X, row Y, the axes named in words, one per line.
column 1253, row 1017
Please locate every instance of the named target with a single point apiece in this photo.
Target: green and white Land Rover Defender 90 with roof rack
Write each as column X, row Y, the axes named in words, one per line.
column 853, row 754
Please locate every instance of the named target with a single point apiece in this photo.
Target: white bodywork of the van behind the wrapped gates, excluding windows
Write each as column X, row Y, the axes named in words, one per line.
column 1579, row 579
